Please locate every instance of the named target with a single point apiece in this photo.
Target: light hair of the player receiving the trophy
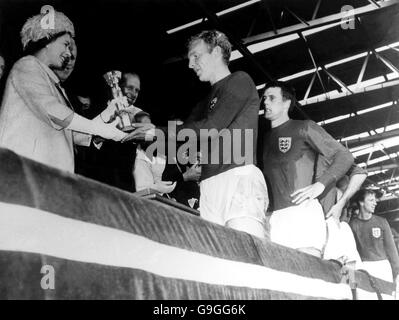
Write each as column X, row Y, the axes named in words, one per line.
column 213, row 38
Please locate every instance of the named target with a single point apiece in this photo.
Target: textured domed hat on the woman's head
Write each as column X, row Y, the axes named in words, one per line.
column 44, row 25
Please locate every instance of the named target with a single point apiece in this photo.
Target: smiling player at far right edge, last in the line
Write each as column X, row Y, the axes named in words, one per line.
column 374, row 239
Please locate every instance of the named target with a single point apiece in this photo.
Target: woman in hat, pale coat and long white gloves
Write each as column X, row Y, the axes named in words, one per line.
column 36, row 118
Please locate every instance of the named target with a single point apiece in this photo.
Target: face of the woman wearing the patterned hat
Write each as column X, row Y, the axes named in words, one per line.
column 58, row 52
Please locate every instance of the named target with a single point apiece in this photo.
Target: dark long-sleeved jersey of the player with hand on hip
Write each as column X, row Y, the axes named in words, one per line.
column 289, row 154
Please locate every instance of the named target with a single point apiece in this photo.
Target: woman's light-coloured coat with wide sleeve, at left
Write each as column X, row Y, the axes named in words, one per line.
column 34, row 115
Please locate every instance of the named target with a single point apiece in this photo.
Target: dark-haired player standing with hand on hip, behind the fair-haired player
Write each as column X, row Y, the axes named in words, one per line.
column 290, row 155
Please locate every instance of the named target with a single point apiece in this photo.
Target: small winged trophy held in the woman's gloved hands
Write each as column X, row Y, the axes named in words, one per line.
column 112, row 78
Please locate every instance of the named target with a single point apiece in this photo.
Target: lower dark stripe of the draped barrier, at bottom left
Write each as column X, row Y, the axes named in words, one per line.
column 78, row 280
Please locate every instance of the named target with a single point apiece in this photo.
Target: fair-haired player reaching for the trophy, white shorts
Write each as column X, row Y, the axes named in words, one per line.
column 233, row 191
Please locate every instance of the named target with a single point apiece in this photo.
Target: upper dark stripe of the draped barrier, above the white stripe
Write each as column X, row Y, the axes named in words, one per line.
column 28, row 183
